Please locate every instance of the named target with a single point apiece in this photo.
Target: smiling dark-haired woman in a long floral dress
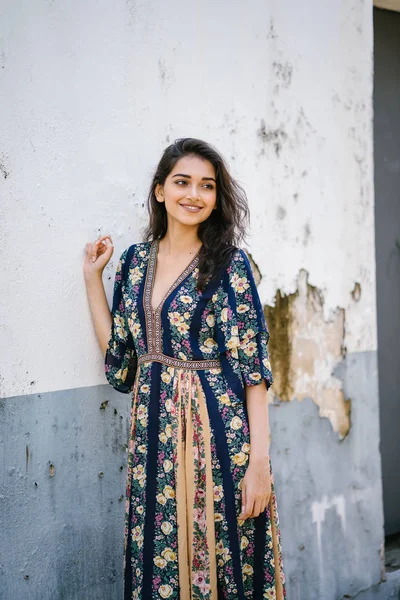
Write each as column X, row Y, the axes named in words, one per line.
column 201, row 518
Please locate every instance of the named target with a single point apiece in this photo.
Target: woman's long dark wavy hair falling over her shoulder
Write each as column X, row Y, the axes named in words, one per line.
column 224, row 229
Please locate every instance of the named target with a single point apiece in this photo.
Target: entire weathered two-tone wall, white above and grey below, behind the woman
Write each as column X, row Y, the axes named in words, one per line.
column 94, row 91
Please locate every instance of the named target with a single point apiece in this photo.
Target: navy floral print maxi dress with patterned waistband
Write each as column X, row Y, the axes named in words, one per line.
column 189, row 438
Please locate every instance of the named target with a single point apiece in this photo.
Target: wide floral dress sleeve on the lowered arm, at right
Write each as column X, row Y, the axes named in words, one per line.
column 242, row 332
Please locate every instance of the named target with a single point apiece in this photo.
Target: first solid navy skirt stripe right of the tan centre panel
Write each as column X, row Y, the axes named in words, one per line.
column 218, row 428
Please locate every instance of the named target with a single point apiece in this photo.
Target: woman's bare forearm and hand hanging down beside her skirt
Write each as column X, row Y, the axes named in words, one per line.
column 256, row 484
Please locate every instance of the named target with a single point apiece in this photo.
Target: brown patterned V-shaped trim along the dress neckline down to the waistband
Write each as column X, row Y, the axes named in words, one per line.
column 153, row 315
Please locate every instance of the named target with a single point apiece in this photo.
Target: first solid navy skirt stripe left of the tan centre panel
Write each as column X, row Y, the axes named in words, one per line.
column 151, row 480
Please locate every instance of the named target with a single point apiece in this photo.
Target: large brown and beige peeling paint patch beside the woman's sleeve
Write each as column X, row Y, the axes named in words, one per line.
column 306, row 350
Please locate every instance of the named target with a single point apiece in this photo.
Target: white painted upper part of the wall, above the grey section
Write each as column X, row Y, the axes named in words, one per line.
column 93, row 91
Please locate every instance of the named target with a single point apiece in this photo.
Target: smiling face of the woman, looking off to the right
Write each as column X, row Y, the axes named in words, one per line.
column 189, row 192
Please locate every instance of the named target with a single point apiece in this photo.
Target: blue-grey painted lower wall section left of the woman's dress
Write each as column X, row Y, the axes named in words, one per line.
column 62, row 482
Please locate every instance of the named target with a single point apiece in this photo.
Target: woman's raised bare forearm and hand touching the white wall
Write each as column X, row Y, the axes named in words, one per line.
column 97, row 256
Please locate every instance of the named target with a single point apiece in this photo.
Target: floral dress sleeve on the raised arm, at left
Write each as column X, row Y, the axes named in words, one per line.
column 120, row 358
